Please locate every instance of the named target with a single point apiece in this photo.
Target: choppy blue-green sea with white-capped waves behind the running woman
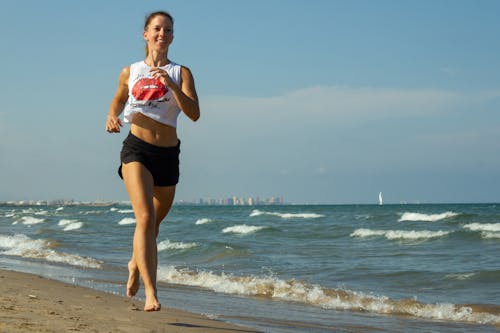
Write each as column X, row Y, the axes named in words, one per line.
column 288, row 268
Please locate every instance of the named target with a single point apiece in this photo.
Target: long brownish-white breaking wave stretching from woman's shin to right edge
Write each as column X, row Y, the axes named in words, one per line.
column 316, row 295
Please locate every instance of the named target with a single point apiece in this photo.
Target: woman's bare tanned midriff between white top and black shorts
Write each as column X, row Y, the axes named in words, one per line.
column 153, row 132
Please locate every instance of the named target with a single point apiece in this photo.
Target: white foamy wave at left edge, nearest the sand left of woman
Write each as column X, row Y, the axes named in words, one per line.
column 23, row 246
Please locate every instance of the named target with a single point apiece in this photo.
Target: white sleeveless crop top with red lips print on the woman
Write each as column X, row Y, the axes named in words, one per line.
column 149, row 96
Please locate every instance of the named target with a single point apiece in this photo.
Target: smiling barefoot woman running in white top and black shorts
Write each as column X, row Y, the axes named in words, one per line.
column 151, row 93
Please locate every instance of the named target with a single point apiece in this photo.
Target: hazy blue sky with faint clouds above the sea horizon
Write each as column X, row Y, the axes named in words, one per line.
column 320, row 102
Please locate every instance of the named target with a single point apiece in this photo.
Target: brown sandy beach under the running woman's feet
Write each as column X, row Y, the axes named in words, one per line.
column 30, row 303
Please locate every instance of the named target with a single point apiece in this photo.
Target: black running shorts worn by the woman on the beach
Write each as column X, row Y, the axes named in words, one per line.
column 162, row 162
